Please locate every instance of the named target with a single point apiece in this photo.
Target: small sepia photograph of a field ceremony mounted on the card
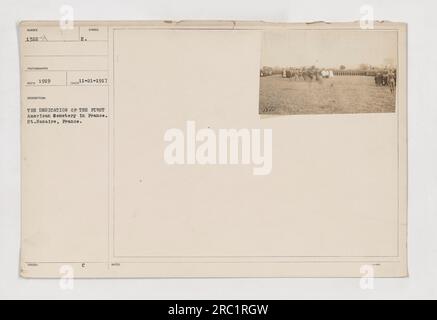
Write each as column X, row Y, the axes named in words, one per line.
column 328, row 71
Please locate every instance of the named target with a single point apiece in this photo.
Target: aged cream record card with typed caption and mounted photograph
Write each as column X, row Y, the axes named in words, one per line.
column 213, row 149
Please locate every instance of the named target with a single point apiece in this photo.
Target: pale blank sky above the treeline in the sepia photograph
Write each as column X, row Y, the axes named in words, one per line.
column 329, row 48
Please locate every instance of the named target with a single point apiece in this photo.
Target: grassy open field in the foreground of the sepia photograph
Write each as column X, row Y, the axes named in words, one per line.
column 341, row 94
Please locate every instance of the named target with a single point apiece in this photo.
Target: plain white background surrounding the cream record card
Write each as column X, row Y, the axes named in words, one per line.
column 422, row 129
